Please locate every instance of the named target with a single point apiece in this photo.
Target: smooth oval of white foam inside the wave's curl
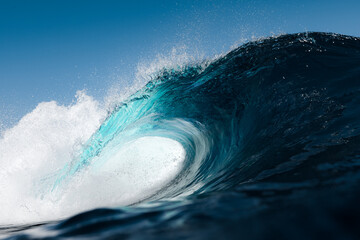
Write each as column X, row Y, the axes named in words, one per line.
column 137, row 170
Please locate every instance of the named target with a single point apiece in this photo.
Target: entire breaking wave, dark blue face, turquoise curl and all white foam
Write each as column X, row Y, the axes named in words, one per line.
column 258, row 130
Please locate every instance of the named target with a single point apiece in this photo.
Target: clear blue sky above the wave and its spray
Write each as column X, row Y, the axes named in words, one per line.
column 51, row 49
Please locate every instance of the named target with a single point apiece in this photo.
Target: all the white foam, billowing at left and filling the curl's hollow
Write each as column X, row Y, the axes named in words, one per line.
column 34, row 151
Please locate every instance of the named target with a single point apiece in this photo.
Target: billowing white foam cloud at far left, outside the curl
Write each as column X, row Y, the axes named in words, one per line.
column 41, row 143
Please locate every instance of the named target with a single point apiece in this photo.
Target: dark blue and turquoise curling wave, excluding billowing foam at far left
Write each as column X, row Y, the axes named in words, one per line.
column 263, row 142
